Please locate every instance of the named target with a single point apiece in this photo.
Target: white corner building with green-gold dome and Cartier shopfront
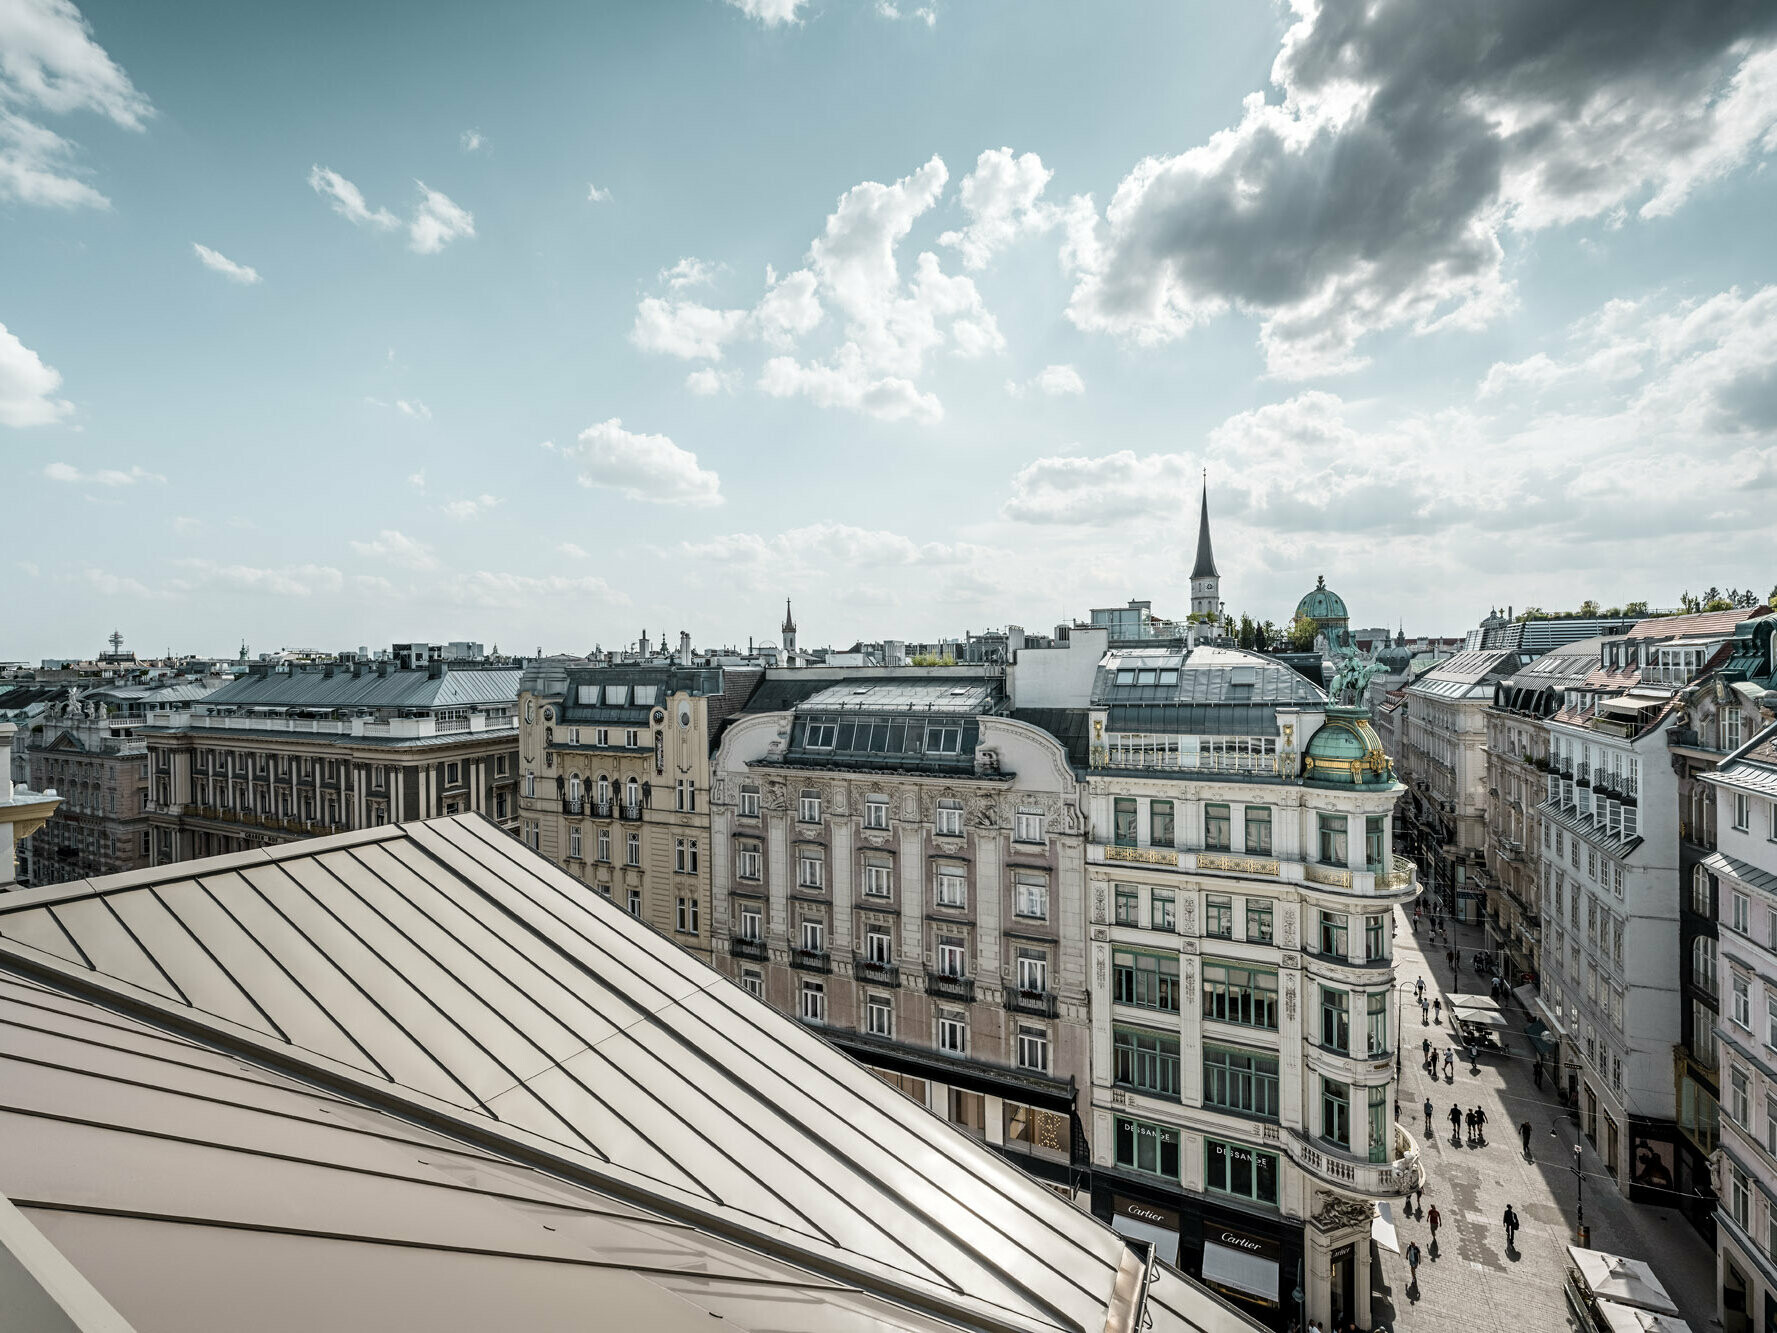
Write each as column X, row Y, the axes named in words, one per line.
column 1245, row 1012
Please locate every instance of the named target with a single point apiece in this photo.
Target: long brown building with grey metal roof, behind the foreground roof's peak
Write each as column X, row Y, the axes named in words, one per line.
column 291, row 753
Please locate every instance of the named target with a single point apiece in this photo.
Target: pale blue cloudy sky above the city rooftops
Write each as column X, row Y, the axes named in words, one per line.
column 552, row 324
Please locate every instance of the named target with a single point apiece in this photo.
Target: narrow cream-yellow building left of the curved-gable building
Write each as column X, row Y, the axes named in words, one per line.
column 616, row 781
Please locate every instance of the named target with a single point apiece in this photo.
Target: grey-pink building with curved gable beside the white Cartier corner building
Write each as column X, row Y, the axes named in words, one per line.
column 900, row 865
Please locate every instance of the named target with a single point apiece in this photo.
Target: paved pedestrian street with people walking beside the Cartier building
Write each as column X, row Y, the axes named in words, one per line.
column 1470, row 1282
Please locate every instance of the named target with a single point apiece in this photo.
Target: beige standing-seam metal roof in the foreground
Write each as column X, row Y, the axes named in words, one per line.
column 410, row 1039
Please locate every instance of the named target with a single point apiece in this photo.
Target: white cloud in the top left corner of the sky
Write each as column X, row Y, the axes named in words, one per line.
column 51, row 65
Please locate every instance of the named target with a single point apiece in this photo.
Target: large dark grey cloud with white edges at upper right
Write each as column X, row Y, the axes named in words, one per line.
column 1375, row 191
